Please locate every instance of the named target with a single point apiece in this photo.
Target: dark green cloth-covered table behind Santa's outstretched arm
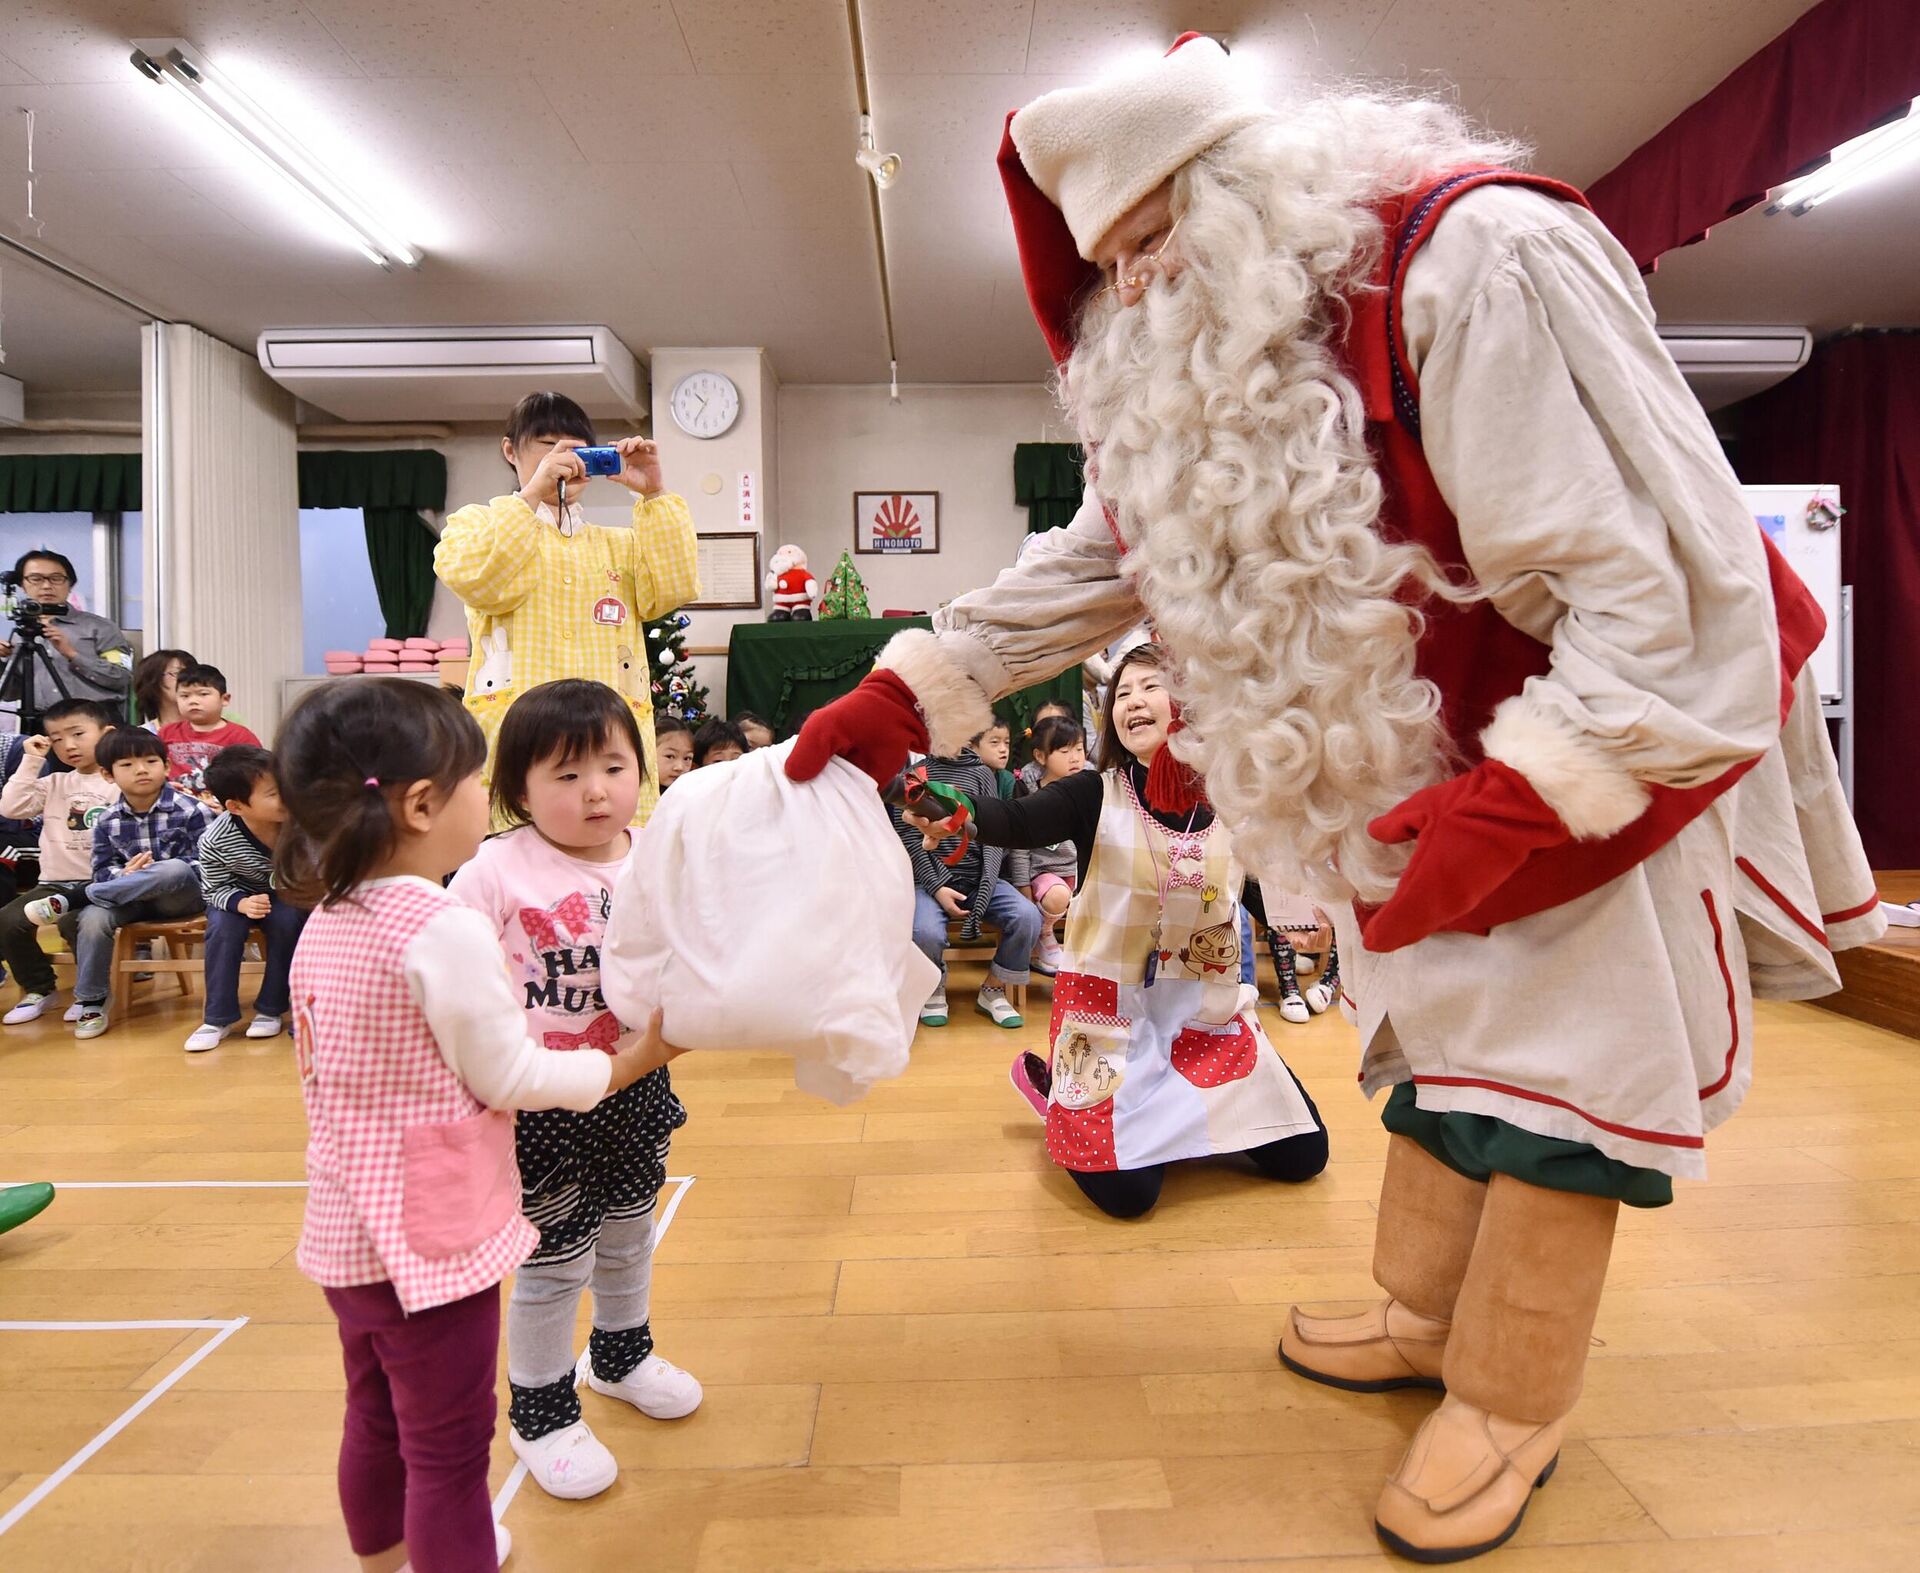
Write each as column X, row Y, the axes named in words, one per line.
column 786, row 671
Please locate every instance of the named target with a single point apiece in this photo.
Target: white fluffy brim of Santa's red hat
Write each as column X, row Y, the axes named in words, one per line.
column 1097, row 151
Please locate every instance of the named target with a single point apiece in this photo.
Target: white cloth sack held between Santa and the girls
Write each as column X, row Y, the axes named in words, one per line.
column 767, row 915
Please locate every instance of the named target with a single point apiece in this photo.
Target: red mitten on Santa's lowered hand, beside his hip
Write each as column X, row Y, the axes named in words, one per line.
column 1470, row 836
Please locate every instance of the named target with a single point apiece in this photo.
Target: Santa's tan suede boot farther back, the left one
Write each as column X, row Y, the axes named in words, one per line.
column 1422, row 1246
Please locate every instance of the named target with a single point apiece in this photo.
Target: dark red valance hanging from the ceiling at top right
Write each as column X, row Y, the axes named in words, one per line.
column 1829, row 78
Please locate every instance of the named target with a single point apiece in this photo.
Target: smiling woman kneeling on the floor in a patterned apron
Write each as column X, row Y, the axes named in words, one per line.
column 1157, row 1052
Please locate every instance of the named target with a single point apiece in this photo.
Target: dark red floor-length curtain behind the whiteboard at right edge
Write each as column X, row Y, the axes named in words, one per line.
column 1854, row 418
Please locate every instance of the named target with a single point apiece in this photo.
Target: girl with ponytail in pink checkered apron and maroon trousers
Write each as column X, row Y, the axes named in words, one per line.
column 412, row 1057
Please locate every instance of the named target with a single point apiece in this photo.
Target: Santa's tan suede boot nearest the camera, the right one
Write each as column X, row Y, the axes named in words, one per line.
column 1514, row 1368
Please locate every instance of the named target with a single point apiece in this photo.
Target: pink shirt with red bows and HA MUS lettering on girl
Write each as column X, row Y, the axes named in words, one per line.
column 550, row 913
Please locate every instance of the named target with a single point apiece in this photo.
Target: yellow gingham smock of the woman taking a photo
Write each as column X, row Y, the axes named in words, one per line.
column 558, row 598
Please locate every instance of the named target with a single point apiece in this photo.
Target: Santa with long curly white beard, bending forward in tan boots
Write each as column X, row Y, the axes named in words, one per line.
column 1476, row 642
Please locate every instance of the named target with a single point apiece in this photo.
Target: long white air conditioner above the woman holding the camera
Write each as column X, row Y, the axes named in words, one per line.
column 452, row 374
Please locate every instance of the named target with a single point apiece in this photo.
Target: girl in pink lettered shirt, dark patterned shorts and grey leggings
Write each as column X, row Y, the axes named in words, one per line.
column 567, row 775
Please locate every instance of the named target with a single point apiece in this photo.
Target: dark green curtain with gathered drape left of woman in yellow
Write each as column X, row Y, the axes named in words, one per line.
column 389, row 489
